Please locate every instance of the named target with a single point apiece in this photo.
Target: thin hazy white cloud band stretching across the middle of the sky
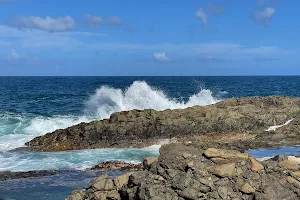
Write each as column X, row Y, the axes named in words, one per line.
column 32, row 41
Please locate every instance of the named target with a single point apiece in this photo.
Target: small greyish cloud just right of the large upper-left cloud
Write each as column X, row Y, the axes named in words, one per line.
column 96, row 21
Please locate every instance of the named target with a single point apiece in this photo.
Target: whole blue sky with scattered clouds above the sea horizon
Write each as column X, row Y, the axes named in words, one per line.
column 149, row 38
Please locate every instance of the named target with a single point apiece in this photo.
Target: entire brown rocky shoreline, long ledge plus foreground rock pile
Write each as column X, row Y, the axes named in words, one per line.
column 206, row 159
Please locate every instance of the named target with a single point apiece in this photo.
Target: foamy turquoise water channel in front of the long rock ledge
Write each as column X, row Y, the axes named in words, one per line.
column 27, row 161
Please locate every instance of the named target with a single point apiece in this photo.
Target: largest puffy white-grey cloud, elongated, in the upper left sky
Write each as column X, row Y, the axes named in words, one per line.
column 49, row 24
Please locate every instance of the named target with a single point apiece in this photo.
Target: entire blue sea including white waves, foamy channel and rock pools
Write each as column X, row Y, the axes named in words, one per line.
column 33, row 106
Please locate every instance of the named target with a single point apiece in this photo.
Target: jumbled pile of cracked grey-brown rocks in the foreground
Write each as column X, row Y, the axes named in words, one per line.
column 184, row 172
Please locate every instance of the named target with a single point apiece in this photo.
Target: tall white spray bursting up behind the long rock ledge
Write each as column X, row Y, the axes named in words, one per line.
column 140, row 96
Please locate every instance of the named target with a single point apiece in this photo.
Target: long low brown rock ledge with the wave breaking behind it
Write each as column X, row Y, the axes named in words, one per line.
column 237, row 122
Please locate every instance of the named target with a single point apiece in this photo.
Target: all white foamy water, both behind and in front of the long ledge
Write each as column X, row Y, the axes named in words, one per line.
column 17, row 129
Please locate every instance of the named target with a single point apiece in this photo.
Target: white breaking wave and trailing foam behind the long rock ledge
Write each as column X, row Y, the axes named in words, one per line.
column 17, row 129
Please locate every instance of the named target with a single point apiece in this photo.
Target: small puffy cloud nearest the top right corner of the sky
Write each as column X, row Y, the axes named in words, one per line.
column 263, row 17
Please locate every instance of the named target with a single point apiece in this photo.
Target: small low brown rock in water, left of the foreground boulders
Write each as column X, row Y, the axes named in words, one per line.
column 115, row 166
